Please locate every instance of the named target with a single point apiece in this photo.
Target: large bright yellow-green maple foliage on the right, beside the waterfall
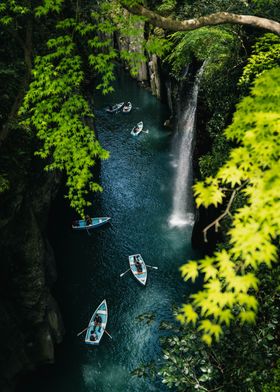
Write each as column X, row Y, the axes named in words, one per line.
column 230, row 275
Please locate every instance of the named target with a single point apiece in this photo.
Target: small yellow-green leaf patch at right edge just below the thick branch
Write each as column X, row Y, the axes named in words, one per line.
column 266, row 55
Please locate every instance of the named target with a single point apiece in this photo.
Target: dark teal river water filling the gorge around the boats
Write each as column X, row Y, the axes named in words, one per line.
column 138, row 182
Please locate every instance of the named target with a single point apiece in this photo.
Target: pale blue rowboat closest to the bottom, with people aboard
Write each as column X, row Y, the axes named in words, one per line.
column 95, row 330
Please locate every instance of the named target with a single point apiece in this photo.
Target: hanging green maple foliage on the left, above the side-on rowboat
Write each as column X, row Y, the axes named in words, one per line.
column 55, row 107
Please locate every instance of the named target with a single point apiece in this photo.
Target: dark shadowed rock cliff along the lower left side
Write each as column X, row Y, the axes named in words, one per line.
column 29, row 317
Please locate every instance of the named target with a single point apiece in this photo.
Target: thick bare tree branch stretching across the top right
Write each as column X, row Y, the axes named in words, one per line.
column 210, row 20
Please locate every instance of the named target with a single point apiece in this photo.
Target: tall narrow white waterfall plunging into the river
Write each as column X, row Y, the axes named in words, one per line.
column 182, row 212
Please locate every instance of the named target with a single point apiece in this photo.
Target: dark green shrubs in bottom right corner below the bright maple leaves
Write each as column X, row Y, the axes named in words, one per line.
column 241, row 361
